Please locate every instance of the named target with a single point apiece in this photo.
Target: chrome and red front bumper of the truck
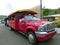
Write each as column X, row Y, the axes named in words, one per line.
column 42, row 36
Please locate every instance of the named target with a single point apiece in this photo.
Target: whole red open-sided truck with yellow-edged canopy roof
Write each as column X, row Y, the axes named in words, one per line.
column 34, row 28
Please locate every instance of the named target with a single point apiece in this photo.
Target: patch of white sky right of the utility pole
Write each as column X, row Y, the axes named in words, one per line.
column 51, row 3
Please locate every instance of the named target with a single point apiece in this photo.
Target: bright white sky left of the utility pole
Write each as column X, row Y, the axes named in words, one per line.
column 9, row 6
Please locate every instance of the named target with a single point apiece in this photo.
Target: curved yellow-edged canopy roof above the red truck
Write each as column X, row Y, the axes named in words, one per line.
column 24, row 12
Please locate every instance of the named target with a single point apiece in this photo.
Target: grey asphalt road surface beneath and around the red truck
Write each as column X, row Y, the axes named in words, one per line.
column 8, row 37
